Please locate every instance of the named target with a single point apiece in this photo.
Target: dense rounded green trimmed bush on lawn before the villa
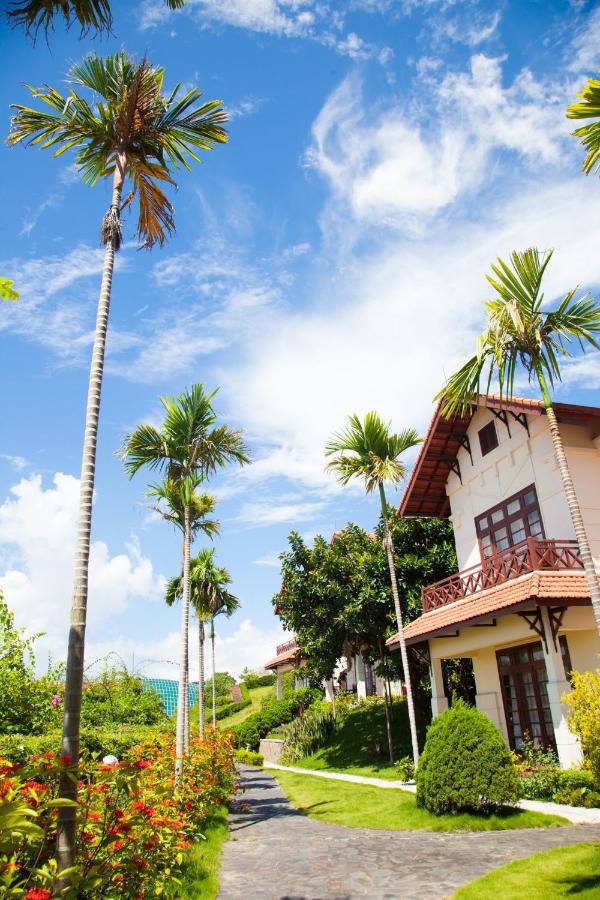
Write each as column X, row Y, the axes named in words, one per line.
column 465, row 766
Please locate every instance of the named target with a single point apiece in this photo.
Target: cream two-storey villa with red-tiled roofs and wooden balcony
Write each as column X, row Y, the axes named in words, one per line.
column 519, row 605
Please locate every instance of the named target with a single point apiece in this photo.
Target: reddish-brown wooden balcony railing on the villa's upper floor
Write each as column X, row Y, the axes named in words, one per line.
column 529, row 556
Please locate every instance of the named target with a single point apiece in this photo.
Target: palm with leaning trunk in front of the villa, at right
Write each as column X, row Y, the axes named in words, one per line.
column 521, row 333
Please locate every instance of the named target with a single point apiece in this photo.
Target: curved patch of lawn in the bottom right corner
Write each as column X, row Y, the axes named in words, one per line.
column 564, row 872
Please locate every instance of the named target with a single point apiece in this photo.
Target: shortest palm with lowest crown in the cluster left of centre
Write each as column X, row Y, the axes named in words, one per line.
column 208, row 597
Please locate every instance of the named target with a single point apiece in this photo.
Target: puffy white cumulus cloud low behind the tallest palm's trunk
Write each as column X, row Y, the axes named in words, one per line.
column 37, row 548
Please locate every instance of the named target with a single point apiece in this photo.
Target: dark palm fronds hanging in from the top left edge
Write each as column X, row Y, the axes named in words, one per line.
column 90, row 15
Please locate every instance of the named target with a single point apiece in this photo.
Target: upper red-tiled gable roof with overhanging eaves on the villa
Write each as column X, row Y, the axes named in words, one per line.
column 425, row 494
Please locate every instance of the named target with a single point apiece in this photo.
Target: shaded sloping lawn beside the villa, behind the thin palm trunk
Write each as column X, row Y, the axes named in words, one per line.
column 352, row 748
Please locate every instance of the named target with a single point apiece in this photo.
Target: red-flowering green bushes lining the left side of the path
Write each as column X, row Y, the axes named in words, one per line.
column 134, row 825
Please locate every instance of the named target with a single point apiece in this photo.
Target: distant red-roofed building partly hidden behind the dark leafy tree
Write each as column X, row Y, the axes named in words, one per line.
column 352, row 675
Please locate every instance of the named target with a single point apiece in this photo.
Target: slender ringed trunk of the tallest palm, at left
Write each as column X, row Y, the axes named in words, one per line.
column 67, row 821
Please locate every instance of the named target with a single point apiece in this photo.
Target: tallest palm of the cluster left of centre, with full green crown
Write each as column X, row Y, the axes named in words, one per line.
column 188, row 444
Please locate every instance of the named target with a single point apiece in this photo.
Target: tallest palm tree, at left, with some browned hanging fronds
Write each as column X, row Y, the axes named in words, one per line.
column 134, row 134
